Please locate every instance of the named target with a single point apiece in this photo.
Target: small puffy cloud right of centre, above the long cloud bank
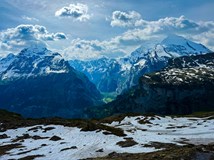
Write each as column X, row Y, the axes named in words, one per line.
column 125, row 19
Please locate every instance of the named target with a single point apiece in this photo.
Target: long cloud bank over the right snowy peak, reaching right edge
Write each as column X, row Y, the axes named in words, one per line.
column 199, row 31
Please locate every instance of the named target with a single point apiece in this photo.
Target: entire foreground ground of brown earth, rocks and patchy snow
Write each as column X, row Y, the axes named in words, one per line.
column 118, row 137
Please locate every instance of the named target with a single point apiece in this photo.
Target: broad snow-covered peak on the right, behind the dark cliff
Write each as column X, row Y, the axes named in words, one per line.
column 172, row 46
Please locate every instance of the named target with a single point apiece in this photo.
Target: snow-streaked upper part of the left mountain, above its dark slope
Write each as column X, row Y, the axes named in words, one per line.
column 32, row 61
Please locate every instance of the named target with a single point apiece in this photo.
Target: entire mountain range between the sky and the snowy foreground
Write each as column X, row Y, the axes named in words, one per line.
column 174, row 76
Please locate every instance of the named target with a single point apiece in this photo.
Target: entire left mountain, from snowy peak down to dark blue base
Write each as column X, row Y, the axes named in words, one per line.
column 39, row 83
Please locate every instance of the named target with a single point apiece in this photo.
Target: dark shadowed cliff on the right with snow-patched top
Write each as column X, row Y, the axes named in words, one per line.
column 186, row 85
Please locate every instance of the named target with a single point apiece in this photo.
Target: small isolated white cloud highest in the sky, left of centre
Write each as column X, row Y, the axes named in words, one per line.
column 77, row 11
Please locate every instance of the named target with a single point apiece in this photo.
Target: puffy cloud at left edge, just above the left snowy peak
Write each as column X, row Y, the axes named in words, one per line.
column 23, row 35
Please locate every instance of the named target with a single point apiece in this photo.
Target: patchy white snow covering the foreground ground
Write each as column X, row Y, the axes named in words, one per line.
column 55, row 142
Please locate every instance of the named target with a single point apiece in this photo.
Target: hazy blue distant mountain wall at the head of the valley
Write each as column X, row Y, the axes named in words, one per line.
column 103, row 72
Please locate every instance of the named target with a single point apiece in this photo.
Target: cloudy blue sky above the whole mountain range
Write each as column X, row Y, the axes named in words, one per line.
column 86, row 29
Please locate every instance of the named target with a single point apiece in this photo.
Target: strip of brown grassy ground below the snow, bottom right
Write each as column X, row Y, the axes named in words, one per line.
column 188, row 152
